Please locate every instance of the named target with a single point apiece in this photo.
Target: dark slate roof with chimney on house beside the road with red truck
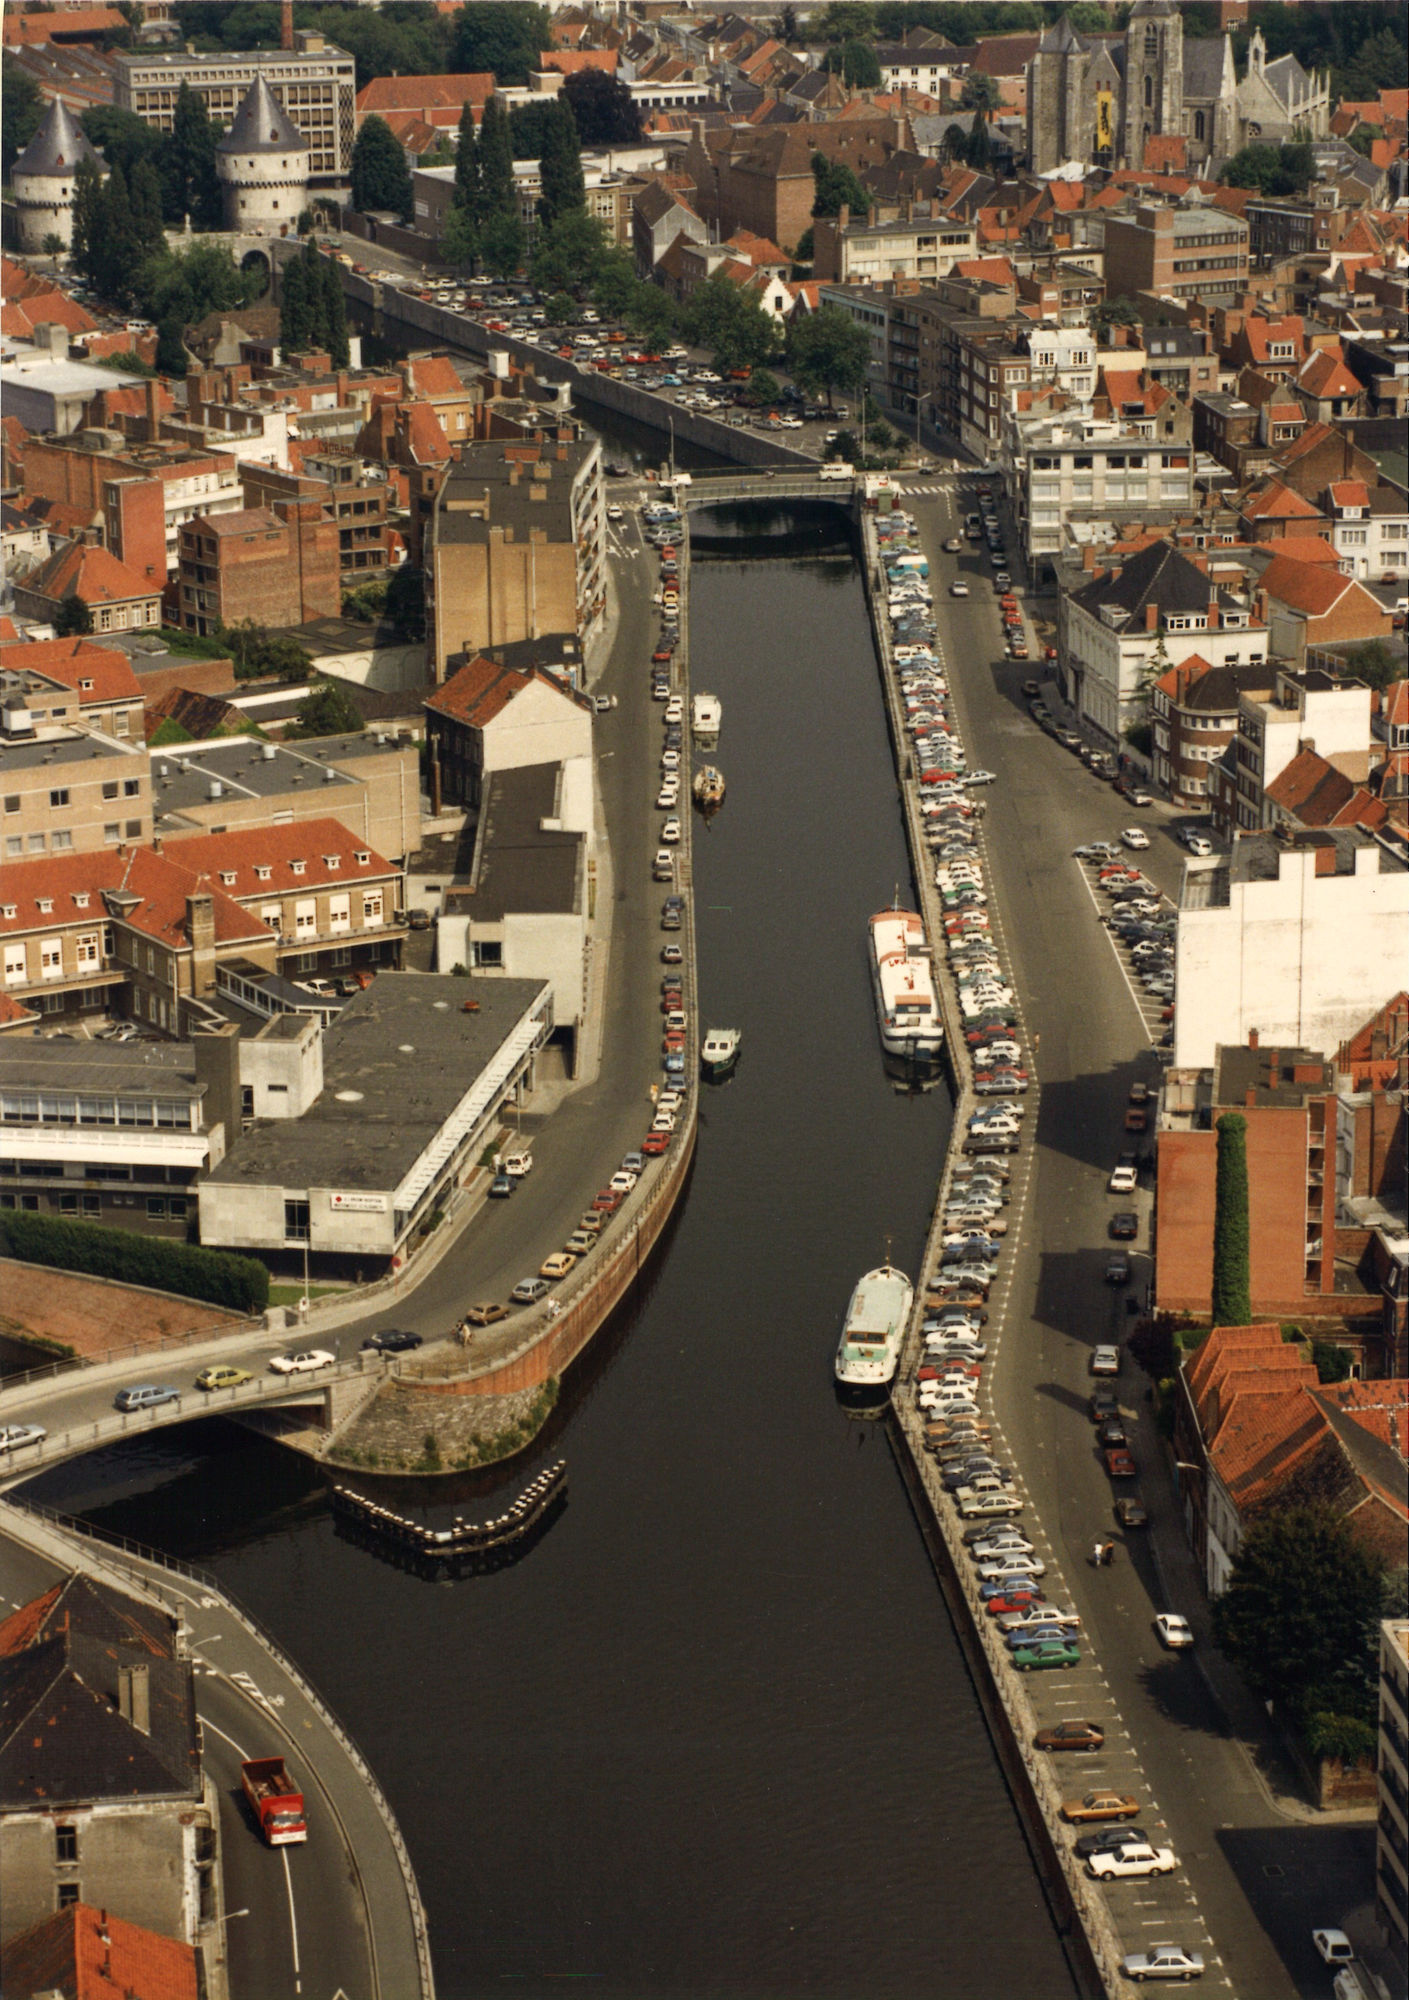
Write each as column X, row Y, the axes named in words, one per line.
column 63, row 1739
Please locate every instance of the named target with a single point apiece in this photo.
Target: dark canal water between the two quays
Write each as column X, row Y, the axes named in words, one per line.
column 714, row 1737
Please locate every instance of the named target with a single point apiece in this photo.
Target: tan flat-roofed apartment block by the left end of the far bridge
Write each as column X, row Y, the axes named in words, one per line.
column 517, row 547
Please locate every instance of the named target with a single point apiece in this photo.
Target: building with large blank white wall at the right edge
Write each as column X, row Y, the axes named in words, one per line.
column 1292, row 939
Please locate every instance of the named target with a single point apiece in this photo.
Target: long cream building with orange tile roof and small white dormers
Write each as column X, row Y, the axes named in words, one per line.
column 141, row 931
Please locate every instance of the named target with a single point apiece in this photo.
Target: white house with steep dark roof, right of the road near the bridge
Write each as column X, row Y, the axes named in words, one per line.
column 1164, row 607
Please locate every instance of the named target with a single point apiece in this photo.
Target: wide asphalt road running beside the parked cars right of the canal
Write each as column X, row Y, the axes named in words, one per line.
column 1262, row 1881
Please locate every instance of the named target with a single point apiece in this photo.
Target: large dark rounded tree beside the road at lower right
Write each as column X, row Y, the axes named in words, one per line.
column 1298, row 1609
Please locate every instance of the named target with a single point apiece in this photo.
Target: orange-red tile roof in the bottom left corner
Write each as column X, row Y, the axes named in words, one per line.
column 87, row 1953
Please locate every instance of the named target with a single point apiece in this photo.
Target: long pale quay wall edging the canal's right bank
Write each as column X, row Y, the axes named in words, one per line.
column 1080, row 1911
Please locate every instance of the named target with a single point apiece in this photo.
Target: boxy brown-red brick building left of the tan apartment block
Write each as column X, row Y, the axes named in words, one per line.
column 275, row 567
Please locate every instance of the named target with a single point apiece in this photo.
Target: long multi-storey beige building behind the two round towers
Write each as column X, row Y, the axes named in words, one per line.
column 315, row 81
